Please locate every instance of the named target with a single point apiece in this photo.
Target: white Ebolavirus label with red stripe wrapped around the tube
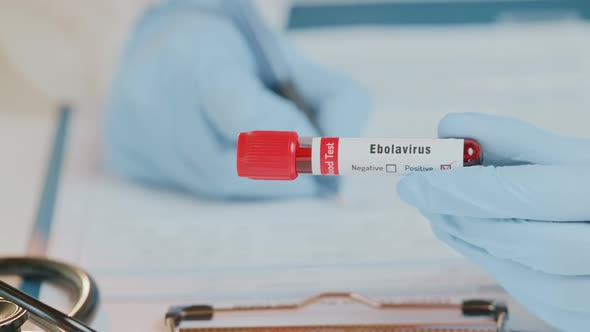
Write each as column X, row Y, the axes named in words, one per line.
column 379, row 156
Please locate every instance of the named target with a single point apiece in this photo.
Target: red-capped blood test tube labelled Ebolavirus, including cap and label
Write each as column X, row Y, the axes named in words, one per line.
column 283, row 155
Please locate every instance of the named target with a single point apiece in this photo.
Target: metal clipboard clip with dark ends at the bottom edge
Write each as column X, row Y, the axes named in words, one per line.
column 342, row 312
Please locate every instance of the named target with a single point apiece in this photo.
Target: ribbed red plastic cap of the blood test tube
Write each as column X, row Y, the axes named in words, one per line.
column 267, row 155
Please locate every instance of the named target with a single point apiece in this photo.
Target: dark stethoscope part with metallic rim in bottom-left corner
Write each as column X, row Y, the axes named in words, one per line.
column 16, row 307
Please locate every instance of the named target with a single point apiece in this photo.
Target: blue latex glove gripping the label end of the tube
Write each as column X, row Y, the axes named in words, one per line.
column 524, row 217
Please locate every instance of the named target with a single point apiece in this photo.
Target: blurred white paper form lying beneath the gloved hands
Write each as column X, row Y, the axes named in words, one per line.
column 150, row 249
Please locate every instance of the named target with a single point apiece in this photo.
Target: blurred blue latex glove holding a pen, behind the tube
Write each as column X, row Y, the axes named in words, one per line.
column 189, row 83
